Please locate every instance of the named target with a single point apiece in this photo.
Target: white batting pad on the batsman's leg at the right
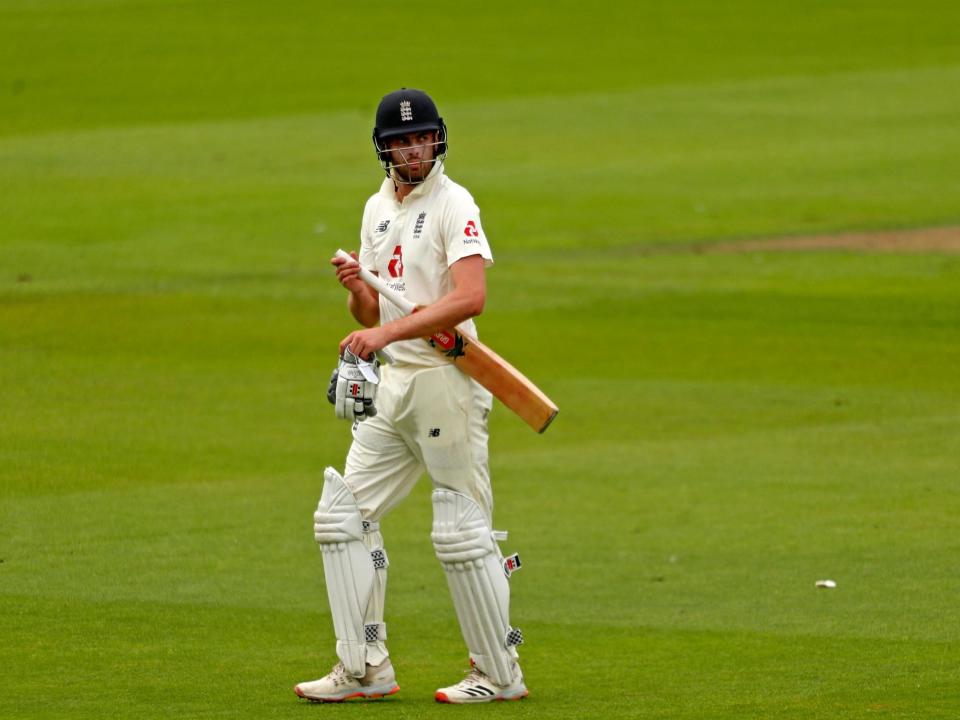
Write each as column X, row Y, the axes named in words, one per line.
column 471, row 559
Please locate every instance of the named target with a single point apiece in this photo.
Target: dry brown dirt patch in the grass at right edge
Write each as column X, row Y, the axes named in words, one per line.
column 922, row 240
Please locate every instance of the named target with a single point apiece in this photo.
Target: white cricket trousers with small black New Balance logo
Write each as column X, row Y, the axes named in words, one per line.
column 428, row 419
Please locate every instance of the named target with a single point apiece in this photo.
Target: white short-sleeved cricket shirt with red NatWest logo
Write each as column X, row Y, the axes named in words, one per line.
column 412, row 245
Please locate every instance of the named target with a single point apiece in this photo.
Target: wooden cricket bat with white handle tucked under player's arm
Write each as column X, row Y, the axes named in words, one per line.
column 475, row 359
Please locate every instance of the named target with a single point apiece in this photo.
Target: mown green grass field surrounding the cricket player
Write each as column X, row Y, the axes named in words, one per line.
column 173, row 179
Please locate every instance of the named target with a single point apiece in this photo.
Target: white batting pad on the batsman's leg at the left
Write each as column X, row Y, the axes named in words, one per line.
column 348, row 567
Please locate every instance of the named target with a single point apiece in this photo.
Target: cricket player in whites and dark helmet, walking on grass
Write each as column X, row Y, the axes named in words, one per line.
column 417, row 413
